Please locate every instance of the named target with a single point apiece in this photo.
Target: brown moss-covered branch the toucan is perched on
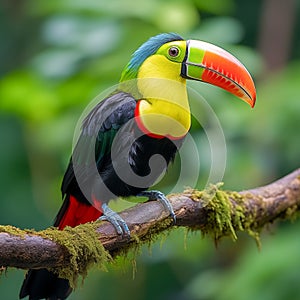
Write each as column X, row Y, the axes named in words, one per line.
column 215, row 212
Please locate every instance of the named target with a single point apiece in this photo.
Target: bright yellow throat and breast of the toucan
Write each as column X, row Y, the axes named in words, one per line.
column 164, row 109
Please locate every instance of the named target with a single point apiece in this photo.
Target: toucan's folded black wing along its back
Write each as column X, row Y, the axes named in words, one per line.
column 98, row 131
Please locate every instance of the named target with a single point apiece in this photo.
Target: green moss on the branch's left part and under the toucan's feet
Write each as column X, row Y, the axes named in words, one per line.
column 84, row 248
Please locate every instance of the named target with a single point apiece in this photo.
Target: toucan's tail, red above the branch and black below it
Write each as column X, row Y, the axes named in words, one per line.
column 43, row 284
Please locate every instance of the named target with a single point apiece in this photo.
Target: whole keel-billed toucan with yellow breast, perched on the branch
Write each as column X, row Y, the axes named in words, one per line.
column 145, row 117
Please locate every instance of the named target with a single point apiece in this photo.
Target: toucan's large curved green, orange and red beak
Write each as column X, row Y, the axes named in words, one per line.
column 214, row 65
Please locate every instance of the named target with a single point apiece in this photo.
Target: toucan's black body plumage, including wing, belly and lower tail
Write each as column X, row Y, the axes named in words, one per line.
column 112, row 158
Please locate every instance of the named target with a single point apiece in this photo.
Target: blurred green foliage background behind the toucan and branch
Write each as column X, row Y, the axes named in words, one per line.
column 56, row 56
